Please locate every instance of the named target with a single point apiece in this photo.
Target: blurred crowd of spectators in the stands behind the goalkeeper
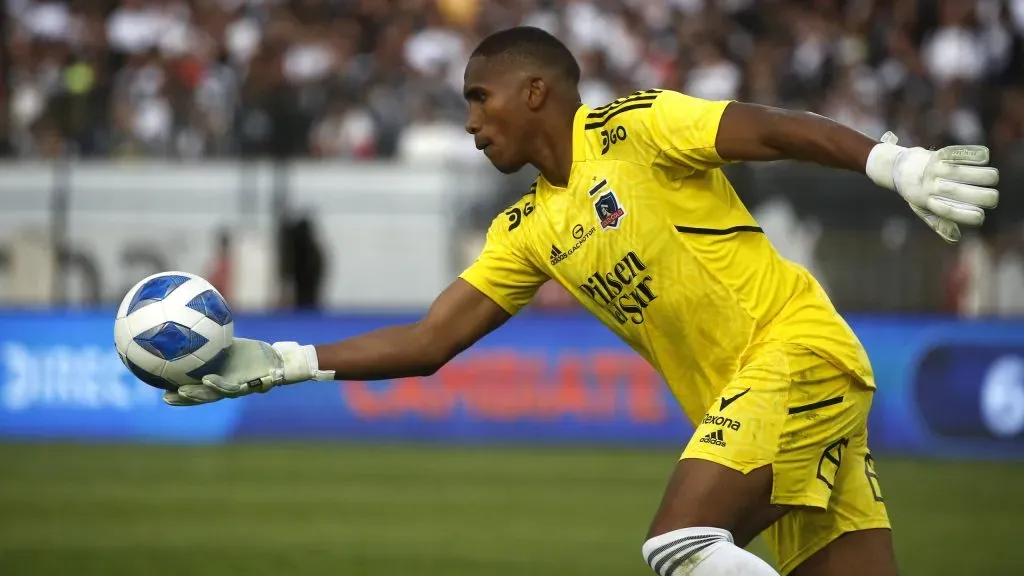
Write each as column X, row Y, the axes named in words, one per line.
column 382, row 78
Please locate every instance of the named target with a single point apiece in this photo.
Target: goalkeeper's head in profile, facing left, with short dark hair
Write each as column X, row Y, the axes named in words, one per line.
column 523, row 89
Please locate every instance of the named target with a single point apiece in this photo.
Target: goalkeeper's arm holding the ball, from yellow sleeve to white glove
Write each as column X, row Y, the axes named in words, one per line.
column 499, row 284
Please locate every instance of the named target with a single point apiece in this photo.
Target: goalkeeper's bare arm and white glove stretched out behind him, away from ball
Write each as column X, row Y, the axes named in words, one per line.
column 949, row 188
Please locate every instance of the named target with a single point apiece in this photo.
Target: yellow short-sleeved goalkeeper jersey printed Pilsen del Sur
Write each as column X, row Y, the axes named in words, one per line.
column 652, row 238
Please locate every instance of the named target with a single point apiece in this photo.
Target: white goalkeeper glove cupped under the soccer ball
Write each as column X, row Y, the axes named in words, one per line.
column 253, row 366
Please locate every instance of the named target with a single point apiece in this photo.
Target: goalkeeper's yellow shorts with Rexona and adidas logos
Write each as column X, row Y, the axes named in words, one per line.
column 790, row 408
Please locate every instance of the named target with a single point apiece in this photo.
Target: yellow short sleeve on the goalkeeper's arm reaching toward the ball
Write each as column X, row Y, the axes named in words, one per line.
column 502, row 272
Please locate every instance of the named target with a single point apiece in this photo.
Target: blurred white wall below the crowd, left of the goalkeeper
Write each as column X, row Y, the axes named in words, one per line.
column 388, row 230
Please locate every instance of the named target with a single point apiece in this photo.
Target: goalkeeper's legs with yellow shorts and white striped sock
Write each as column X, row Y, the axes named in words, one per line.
column 795, row 465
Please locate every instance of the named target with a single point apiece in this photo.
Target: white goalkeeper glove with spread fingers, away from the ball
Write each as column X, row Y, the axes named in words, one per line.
column 947, row 188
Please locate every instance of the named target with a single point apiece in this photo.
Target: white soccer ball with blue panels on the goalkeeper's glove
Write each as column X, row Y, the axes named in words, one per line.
column 173, row 330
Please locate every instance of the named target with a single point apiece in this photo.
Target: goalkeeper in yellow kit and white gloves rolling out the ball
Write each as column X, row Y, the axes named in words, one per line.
column 634, row 217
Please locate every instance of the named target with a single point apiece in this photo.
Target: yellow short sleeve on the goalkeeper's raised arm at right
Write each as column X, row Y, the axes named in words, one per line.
column 684, row 130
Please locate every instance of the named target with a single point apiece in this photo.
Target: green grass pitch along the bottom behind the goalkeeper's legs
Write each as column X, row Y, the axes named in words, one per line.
column 274, row 510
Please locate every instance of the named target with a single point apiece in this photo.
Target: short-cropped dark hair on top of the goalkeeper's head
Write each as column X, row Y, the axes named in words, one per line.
column 531, row 44
